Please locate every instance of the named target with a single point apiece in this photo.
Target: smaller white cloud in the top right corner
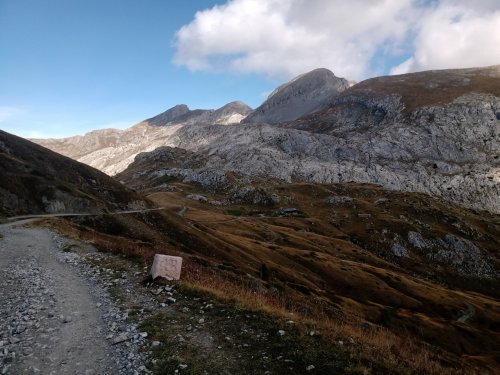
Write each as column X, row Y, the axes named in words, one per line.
column 456, row 34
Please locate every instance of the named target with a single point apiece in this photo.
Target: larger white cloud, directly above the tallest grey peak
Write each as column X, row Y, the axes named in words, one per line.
column 289, row 37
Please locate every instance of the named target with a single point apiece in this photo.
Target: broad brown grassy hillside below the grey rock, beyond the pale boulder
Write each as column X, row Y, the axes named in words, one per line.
column 411, row 279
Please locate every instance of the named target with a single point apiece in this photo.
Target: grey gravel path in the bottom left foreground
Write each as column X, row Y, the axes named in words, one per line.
column 55, row 317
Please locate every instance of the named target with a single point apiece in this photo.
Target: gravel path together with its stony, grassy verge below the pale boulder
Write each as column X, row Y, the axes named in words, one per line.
column 68, row 308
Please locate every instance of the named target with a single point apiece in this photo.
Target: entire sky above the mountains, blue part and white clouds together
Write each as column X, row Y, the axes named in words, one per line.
column 71, row 66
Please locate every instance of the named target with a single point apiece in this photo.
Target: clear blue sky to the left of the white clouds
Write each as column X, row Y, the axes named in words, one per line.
column 70, row 66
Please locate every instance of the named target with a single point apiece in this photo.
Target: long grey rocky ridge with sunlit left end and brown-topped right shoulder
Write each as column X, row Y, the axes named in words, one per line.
column 433, row 132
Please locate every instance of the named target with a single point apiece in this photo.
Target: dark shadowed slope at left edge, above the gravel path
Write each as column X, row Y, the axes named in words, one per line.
column 37, row 180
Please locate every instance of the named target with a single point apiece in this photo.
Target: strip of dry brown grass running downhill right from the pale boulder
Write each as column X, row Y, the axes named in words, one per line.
column 371, row 343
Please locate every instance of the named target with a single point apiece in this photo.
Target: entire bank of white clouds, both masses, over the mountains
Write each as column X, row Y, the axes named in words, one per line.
column 288, row 37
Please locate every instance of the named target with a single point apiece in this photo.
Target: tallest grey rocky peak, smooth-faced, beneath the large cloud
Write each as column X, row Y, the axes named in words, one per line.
column 304, row 94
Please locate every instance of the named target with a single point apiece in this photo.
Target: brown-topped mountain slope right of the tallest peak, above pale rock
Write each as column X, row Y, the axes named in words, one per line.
column 406, row 98
